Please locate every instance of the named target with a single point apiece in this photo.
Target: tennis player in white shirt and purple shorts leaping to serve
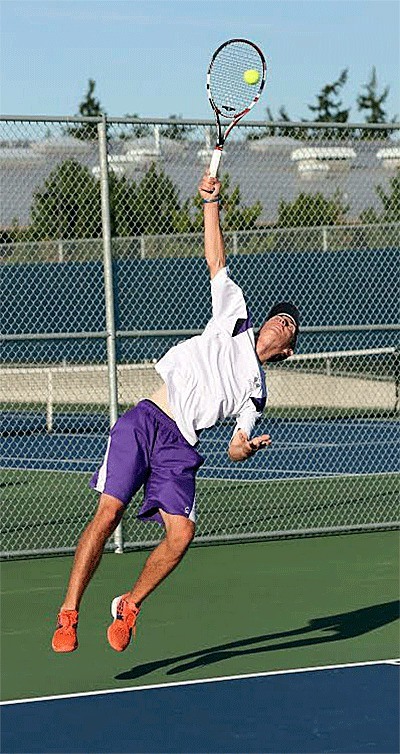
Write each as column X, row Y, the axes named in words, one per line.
column 154, row 445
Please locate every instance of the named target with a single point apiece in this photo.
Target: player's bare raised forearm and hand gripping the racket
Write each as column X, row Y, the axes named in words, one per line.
column 213, row 241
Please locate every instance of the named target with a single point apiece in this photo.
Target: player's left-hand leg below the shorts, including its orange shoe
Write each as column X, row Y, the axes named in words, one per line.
column 87, row 558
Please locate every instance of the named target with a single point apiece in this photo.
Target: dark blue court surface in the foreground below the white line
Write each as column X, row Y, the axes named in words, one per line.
column 344, row 708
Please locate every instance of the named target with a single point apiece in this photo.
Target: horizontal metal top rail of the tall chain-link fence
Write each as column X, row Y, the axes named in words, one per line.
column 199, row 122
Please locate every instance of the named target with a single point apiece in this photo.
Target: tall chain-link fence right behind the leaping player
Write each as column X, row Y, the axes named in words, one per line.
column 103, row 270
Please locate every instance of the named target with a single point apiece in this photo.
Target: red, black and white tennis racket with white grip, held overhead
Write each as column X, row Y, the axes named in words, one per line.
column 235, row 80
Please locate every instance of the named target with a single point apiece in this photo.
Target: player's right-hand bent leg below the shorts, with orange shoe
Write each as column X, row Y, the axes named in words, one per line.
column 179, row 532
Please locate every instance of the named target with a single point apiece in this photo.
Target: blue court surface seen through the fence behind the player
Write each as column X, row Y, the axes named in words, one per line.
column 299, row 448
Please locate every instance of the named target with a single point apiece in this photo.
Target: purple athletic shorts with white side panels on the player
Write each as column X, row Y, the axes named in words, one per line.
column 146, row 448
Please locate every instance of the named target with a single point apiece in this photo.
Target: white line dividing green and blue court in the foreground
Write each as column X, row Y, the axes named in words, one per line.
column 291, row 671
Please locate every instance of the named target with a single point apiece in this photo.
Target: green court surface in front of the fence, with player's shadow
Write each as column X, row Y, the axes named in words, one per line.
column 231, row 609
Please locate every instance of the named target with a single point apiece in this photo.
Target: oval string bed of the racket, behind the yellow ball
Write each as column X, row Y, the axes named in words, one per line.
column 230, row 93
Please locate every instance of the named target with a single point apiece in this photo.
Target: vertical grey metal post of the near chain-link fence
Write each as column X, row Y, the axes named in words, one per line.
column 109, row 293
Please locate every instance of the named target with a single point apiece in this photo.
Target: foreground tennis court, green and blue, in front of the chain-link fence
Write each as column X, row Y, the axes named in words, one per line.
column 225, row 656
